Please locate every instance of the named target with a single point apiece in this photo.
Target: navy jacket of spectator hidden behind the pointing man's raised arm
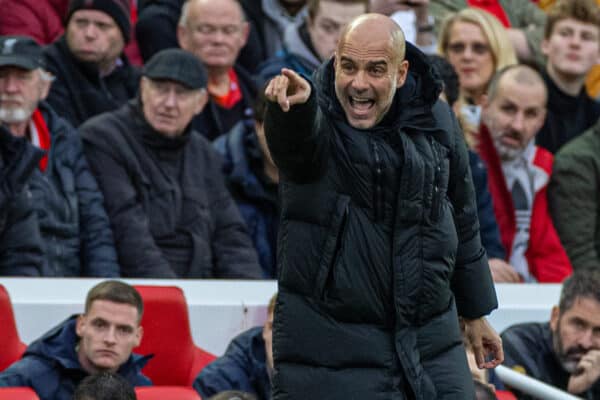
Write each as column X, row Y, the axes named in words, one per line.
column 240, row 150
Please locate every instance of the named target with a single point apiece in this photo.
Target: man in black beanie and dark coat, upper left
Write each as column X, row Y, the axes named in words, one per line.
column 92, row 73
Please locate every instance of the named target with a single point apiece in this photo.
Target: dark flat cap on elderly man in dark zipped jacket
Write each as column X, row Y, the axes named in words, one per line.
column 177, row 65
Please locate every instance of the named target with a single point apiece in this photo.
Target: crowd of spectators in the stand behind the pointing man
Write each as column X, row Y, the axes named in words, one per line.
column 132, row 141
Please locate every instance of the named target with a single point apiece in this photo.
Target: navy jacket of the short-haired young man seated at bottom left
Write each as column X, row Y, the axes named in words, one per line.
column 51, row 368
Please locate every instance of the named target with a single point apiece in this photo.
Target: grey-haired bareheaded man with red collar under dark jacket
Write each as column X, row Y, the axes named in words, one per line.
column 215, row 31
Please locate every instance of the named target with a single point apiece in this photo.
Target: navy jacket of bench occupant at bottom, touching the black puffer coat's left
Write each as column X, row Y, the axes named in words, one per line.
column 242, row 367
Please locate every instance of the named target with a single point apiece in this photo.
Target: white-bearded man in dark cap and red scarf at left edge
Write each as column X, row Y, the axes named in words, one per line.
column 69, row 207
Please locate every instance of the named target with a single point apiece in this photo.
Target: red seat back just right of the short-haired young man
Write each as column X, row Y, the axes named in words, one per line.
column 167, row 335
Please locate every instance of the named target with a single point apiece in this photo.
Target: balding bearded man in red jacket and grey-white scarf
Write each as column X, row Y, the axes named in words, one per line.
column 519, row 172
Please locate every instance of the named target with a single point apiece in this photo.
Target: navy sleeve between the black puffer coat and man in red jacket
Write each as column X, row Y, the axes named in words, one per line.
column 488, row 228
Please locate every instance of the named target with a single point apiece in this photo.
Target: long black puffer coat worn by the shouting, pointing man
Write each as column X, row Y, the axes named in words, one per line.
column 379, row 248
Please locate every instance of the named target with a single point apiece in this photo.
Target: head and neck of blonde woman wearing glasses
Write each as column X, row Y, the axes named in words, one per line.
column 477, row 45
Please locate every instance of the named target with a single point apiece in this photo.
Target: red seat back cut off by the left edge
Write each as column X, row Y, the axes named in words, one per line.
column 11, row 347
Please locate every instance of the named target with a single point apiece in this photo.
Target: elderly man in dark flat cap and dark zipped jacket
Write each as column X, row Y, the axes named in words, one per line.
column 165, row 195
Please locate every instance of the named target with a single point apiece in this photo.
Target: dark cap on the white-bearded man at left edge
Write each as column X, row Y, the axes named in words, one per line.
column 20, row 51
